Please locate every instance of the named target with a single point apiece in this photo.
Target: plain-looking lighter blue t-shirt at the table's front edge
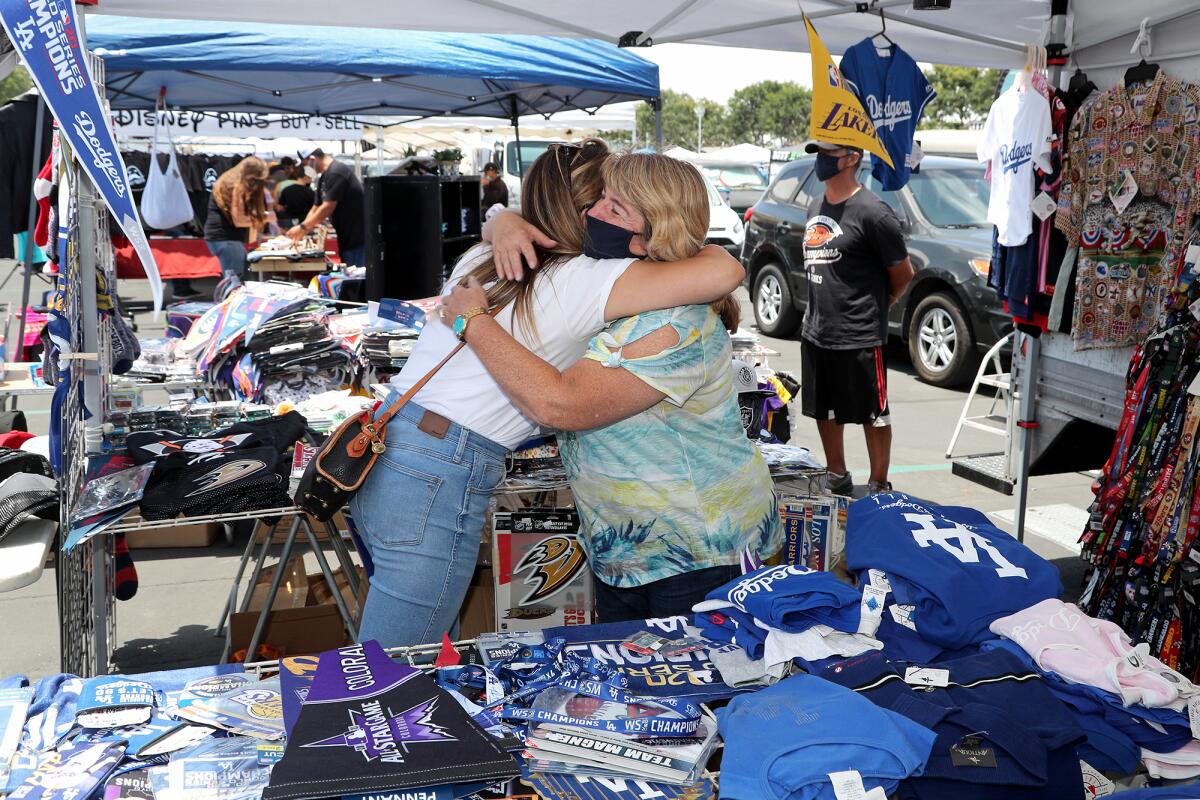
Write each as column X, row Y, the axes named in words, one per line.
column 783, row 742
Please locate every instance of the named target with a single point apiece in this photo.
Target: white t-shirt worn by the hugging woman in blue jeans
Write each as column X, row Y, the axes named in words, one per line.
column 567, row 306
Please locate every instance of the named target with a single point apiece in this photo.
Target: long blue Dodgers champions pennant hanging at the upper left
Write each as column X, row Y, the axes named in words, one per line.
column 47, row 38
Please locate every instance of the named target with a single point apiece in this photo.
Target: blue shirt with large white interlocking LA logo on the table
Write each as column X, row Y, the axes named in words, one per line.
column 952, row 564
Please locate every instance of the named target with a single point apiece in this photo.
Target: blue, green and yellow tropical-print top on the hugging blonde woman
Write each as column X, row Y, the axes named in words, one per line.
column 679, row 488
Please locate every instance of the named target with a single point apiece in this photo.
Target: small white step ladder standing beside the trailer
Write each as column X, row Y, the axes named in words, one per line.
column 991, row 470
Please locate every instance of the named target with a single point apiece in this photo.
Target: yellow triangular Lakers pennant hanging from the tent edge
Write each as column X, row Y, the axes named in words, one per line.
column 838, row 118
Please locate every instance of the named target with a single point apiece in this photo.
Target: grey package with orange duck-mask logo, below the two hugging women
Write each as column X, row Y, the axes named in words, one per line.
column 541, row 572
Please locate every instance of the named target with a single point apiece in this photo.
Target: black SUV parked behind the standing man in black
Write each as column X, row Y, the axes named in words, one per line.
column 949, row 316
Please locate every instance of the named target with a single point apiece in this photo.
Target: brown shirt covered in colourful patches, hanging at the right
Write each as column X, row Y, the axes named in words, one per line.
column 1153, row 131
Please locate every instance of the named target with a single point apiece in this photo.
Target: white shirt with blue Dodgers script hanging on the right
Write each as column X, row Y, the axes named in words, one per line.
column 1016, row 137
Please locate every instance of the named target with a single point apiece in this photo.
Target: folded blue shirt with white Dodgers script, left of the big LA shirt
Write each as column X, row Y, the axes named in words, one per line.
column 791, row 599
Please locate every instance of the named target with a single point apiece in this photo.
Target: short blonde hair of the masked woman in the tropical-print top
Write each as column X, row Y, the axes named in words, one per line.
column 671, row 195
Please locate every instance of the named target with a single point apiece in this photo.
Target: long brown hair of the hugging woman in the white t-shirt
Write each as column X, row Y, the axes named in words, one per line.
column 557, row 189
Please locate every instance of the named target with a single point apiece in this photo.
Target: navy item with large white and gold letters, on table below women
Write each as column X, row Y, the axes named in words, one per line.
column 689, row 676
